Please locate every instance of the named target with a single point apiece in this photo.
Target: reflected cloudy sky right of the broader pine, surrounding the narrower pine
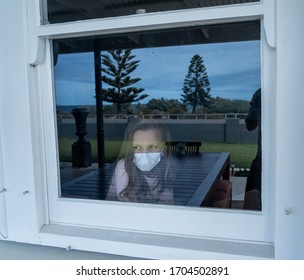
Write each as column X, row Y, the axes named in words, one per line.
column 233, row 68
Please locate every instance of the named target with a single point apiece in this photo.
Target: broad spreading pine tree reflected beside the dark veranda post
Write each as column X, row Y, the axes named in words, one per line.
column 117, row 66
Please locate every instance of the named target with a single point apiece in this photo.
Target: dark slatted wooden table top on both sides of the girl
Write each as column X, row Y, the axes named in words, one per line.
column 196, row 175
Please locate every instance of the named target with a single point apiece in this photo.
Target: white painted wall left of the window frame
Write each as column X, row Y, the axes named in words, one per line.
column 16, row 142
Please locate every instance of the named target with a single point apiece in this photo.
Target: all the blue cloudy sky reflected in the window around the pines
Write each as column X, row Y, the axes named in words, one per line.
column 233, row 70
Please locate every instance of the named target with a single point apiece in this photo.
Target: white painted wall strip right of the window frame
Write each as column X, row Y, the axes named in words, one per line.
column 289, row 225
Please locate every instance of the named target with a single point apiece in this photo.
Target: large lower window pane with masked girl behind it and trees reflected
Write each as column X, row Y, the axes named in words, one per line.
column 160, row 117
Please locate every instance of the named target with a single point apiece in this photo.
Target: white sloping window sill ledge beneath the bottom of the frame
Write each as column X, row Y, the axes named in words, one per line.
column 151, row 246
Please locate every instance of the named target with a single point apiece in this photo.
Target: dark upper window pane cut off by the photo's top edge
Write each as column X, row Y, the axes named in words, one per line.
column 71, row 10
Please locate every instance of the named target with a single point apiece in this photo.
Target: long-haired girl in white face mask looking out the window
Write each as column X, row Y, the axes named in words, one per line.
column 145, row 172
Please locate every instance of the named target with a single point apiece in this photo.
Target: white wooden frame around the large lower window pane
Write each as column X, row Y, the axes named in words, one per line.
column 252, row 226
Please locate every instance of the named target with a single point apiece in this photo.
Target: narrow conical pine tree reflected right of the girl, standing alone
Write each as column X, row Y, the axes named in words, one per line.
column 196, row 85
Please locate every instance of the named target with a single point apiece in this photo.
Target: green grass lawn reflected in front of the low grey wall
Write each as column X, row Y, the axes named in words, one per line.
column 240, row 154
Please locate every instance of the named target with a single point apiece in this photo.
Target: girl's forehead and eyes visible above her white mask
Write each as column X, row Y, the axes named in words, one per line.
column 147, row 141
